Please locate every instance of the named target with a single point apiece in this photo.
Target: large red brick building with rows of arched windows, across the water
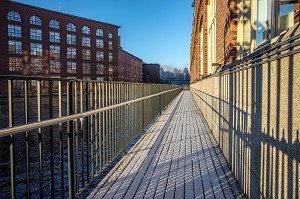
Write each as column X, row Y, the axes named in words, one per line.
column 40, row 42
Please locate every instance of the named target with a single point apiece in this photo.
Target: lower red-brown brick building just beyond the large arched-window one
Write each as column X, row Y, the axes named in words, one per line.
column 129, row 68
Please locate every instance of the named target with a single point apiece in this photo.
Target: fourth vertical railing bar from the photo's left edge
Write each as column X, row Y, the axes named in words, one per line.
column 51, row 138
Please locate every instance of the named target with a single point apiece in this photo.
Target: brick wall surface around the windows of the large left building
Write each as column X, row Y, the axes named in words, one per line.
column 110, row 47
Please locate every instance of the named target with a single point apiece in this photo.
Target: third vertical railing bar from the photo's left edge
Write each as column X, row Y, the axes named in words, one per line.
column 39, row 106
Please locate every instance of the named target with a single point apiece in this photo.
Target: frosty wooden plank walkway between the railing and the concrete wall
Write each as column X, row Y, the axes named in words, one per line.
column 177, row 158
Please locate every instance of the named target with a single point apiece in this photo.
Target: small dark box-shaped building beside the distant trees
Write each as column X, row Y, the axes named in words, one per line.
column 151, row 73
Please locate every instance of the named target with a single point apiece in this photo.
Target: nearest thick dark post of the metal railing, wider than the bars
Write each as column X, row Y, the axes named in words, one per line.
column 70, row 142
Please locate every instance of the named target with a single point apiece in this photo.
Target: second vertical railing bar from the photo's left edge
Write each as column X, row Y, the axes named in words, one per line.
column 26, row 116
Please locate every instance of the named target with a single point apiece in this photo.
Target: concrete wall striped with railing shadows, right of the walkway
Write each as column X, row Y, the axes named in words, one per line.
column 254, row 115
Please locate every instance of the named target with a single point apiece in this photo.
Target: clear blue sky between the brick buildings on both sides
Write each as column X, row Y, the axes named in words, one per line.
column 157, row 31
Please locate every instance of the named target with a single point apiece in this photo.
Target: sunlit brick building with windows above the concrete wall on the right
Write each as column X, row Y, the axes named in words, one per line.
column 228, row 30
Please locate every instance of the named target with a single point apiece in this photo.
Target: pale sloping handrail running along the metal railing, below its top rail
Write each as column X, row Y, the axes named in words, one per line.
column 50, row 122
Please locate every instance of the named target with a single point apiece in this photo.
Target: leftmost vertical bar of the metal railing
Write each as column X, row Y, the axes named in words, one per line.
column 11, row 145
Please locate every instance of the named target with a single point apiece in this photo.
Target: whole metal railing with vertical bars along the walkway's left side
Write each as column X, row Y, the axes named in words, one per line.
column 69, row 131
